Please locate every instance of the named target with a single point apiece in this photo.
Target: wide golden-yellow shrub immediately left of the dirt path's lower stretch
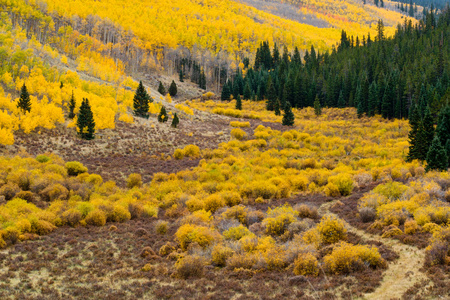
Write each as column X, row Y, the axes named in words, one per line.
column 346, row 258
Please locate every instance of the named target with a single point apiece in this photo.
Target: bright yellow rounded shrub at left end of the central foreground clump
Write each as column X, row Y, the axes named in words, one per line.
column 189, row 233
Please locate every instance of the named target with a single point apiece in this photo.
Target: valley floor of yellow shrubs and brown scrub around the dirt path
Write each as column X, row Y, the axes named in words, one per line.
column 323, row 206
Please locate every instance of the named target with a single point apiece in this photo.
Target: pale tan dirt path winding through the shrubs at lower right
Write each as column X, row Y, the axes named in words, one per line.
column 402, row 273
